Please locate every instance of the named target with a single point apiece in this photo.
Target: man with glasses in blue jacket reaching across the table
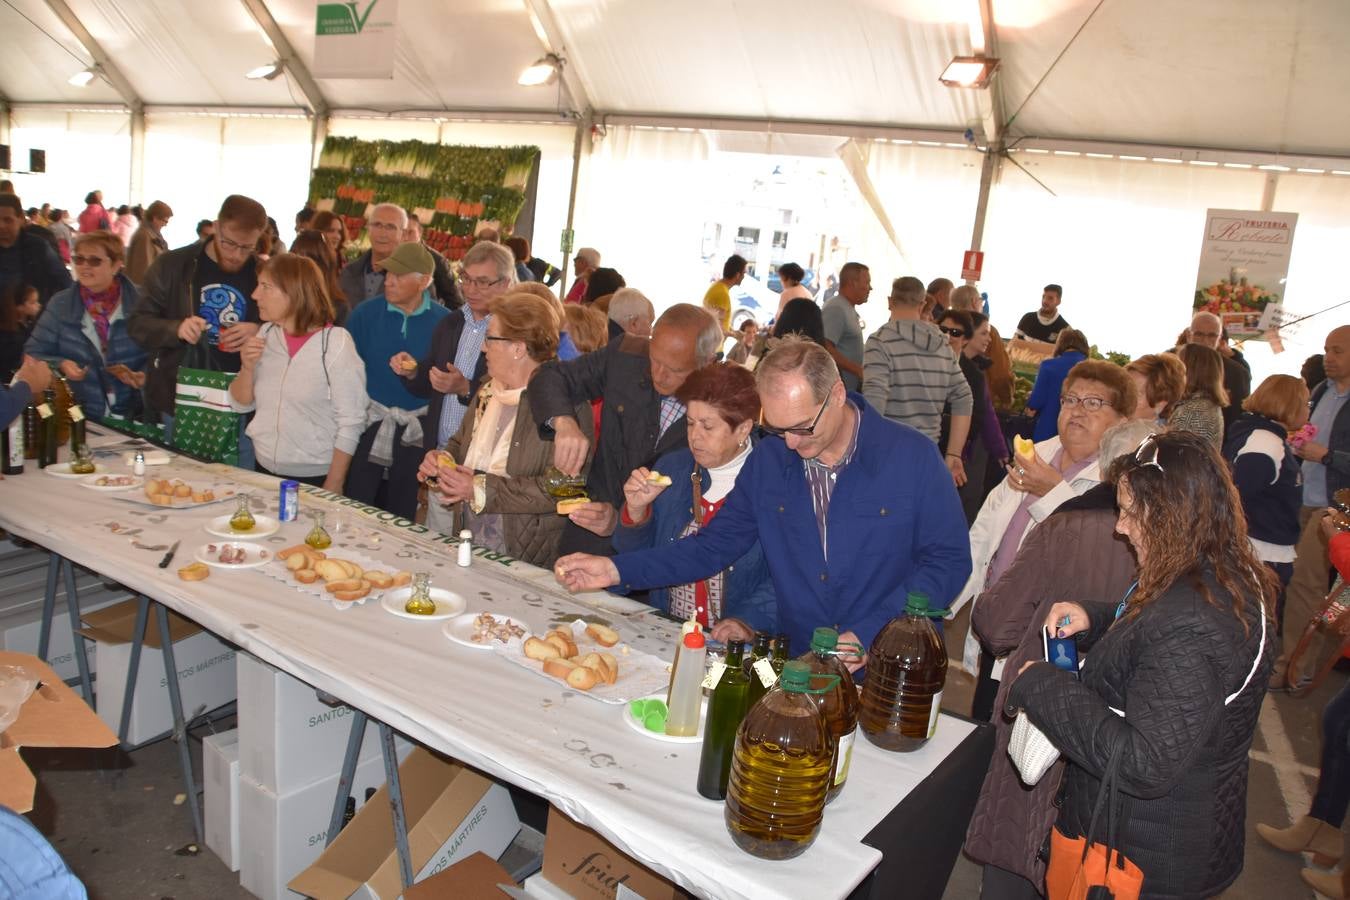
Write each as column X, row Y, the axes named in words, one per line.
column 853, row 512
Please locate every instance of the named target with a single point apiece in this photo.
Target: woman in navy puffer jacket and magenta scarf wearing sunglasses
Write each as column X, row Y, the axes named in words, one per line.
column 83, row 333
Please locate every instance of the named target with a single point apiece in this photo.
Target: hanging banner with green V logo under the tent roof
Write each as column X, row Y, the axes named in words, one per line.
column 356, row 40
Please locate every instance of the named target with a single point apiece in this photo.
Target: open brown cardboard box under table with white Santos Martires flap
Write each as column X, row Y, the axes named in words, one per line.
column 452, row 814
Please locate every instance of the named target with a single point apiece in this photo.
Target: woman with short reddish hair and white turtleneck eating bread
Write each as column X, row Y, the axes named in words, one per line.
column 686, row 489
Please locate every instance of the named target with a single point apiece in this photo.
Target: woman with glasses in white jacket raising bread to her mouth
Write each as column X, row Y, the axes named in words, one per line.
column 1096, row 396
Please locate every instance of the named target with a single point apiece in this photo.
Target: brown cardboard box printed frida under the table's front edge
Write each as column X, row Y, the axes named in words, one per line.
column 588, row 867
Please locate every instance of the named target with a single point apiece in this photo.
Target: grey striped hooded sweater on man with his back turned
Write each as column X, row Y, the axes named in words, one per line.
column 909, row 374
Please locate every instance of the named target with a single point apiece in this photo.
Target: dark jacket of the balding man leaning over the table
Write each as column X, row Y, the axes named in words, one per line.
column 630, row 427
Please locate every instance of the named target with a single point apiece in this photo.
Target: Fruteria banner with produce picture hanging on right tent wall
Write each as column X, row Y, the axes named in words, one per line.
column 1244, row 262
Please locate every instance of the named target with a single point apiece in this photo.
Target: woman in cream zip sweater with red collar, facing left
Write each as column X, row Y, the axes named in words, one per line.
column 303, row 377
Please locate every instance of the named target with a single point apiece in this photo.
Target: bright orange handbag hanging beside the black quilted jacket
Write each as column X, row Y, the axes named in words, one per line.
column 1083, row 870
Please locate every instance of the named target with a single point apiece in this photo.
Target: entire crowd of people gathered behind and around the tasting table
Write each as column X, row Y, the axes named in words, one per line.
column 809, row 476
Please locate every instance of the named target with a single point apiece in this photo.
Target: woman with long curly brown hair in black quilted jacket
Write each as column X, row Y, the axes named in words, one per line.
column 1175, row 678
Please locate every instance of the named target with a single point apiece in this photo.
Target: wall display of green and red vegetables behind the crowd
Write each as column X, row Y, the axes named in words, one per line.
column 454, row 191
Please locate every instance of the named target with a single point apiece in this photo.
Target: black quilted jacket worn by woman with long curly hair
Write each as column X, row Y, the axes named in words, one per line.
column 1185, row 767
